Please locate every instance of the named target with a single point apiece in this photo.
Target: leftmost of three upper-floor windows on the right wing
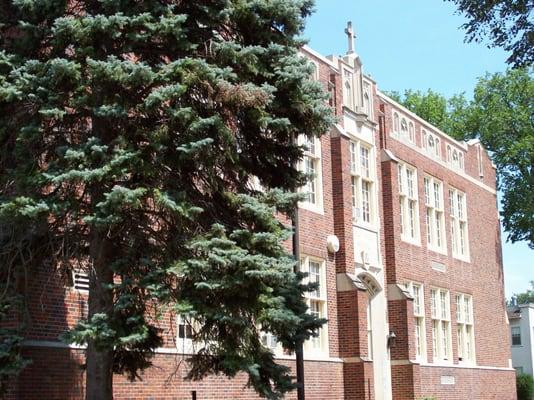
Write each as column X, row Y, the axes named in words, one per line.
column 408, row 201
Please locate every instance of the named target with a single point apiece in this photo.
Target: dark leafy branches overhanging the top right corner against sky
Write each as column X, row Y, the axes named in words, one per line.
column 506, row 23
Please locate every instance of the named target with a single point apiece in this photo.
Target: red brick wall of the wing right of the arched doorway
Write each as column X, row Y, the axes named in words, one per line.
column 482, row 277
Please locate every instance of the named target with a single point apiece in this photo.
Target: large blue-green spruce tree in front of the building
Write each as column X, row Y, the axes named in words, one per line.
column 129, row 135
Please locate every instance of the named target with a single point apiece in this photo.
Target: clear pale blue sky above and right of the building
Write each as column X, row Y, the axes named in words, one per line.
column 416, row 44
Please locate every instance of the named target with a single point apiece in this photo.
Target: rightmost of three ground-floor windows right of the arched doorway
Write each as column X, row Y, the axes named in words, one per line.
column 464, row 327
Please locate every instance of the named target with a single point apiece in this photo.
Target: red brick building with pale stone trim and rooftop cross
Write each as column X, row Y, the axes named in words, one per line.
column 414, row 297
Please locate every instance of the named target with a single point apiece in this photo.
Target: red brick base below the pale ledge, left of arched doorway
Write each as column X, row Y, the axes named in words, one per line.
column 56, row 374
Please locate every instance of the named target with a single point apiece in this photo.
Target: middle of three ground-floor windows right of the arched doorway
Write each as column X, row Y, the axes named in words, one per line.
column 441, row 333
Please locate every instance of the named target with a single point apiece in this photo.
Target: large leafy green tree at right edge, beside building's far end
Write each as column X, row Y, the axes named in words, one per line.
column 503, row 111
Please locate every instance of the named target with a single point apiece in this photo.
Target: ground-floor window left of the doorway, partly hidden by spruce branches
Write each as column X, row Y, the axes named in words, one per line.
column 316, row 300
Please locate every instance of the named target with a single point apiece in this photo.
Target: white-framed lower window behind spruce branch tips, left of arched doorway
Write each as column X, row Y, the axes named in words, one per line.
column 316, row 346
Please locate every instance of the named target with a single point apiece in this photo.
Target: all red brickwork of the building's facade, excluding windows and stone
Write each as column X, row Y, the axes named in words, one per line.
column 56, row 373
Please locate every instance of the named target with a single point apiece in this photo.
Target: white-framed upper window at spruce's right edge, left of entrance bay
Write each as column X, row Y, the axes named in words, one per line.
column 314, row 187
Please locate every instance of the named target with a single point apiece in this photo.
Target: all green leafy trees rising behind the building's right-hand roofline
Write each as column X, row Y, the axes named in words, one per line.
column 501, row 116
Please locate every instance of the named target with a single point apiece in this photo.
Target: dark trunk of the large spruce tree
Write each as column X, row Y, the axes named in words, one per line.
column 99, row 378
